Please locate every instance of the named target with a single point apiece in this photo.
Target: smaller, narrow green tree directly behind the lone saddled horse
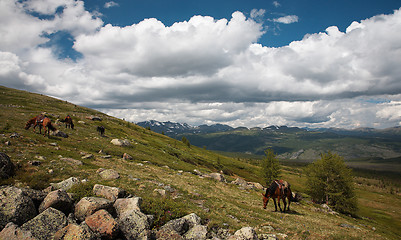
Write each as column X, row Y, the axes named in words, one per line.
column 270, row 168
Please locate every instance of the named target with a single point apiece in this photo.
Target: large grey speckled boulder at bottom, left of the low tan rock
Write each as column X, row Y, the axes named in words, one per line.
column 46, row 224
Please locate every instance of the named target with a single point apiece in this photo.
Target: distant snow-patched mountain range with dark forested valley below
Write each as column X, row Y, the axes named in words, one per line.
column 288, row 142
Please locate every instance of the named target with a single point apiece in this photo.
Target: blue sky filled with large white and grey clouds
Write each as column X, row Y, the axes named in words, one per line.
column 244, row 63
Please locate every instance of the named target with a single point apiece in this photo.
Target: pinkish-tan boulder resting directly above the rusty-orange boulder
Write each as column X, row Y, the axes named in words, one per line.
column 89, row 205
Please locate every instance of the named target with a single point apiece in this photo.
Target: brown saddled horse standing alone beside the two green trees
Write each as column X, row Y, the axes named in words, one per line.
column 279, row 189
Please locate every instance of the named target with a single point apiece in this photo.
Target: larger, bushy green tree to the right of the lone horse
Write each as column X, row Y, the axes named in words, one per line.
column 330, row 181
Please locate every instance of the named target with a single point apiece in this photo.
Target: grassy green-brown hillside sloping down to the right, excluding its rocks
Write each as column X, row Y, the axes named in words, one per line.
column 220, row 203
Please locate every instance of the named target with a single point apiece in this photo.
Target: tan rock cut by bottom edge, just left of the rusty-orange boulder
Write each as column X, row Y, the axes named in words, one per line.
column 74, row 232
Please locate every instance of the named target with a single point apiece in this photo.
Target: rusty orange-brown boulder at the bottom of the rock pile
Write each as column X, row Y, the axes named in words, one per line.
column 103, row 223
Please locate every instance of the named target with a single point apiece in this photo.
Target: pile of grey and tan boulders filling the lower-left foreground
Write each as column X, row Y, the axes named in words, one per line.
column 111, row 214
